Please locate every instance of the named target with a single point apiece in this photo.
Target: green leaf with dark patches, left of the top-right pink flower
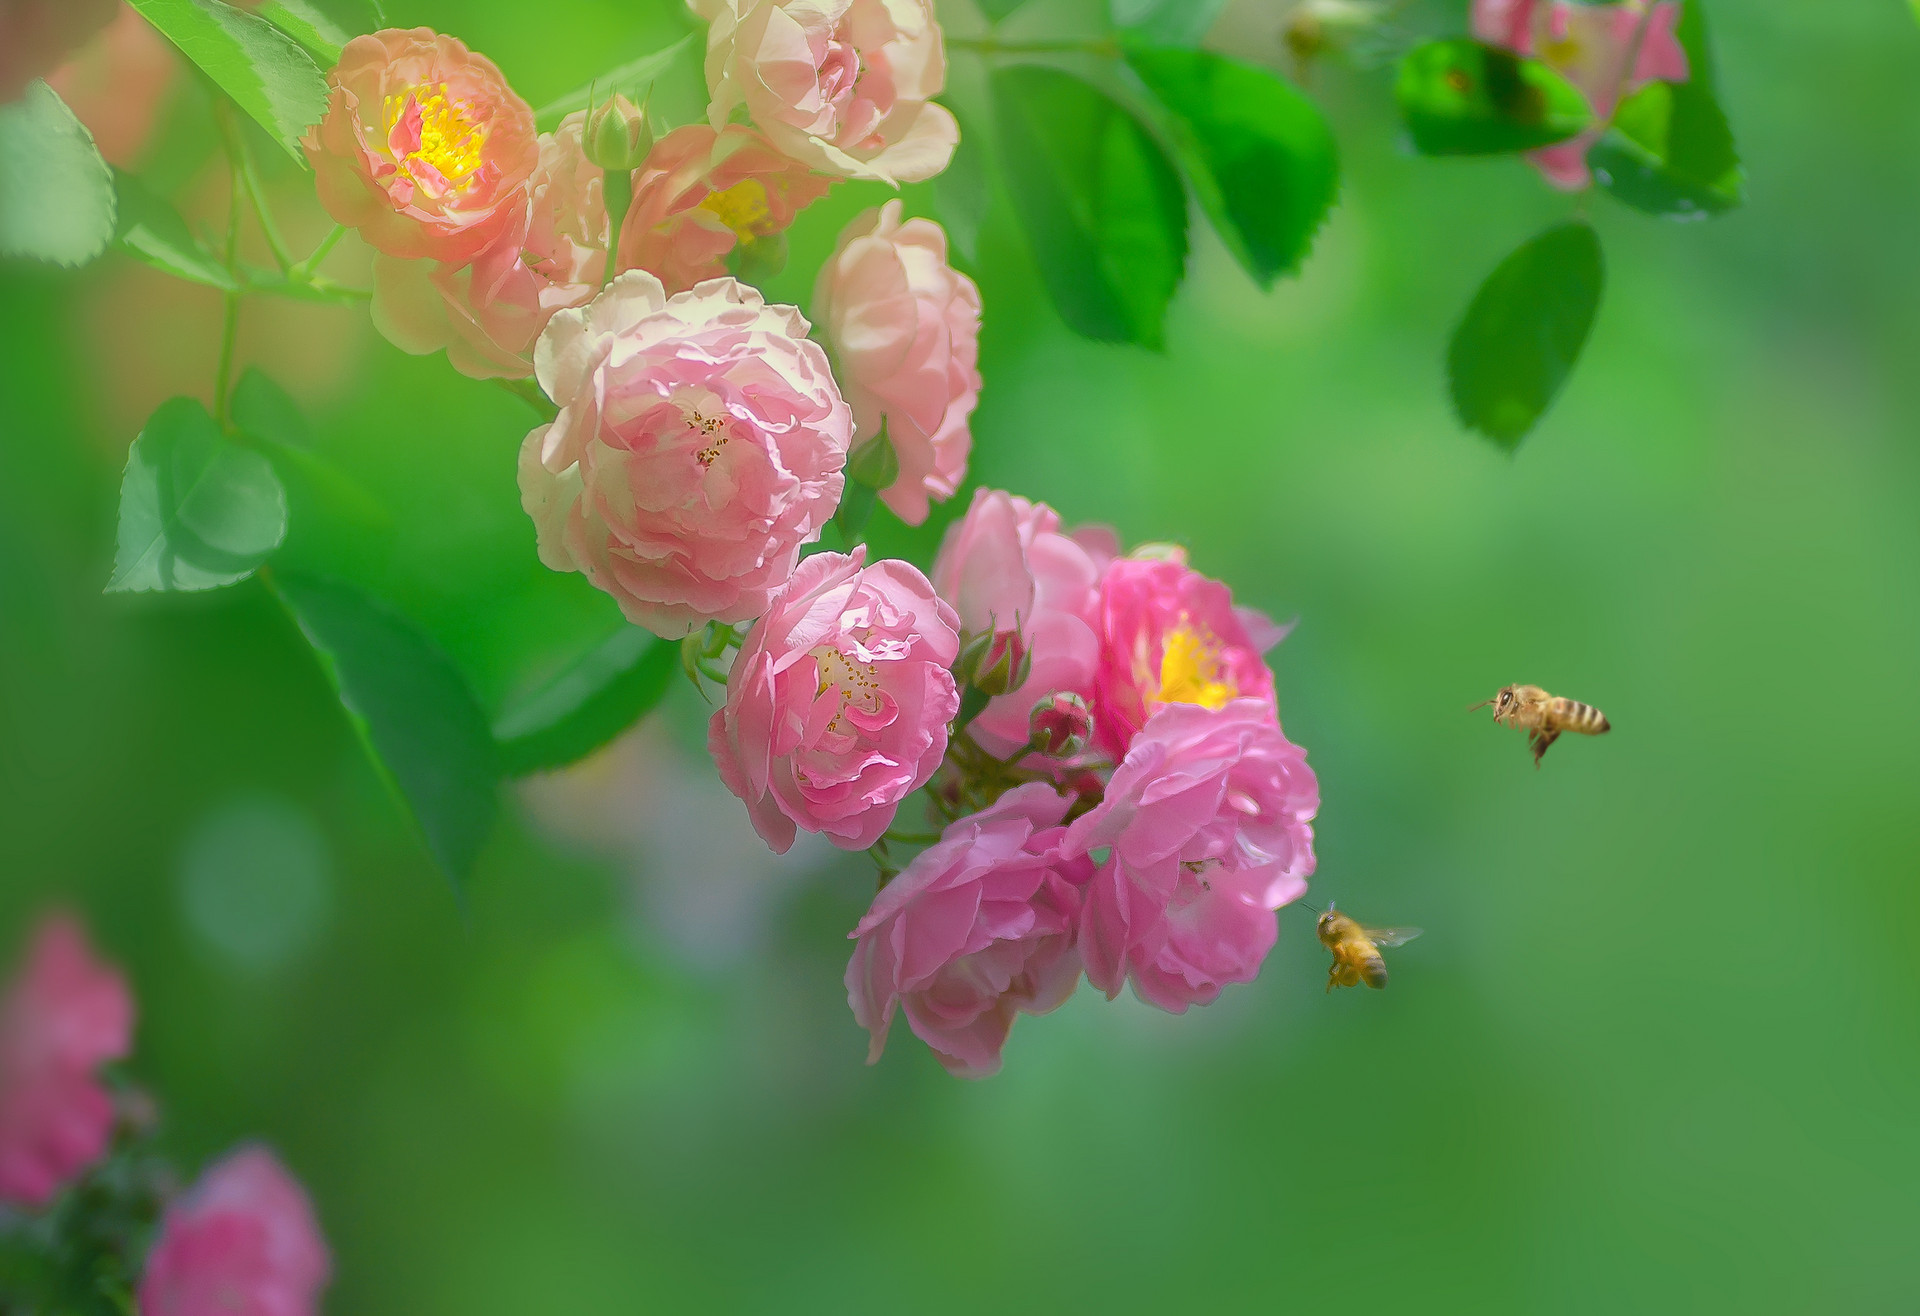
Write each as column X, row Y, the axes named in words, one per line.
column 1466, row 99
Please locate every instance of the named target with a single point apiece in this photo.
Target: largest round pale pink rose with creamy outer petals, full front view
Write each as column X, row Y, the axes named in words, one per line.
column 700, row 447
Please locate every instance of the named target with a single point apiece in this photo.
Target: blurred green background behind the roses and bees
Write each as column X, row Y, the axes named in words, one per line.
column 1656, row 1052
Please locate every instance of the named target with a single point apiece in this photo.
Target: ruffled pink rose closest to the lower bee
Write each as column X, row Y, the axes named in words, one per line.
column 1211, row 829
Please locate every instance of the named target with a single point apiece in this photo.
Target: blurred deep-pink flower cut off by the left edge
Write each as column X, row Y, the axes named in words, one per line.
column 64, row 1017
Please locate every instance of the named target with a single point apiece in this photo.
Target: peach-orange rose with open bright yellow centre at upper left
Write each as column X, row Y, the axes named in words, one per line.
column 423, row 149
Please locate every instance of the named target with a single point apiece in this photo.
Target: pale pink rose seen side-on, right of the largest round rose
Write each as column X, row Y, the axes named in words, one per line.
column 905, row 328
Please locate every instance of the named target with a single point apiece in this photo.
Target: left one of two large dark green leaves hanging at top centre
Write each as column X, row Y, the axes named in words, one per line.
column 1101, row 205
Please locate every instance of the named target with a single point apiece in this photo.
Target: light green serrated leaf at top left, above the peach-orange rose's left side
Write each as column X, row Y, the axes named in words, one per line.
column 262, row 68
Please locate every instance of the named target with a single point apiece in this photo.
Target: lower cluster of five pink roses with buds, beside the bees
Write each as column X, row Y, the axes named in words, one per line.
column 1155, row 856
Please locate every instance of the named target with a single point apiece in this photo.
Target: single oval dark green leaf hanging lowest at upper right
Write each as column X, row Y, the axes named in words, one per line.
column 1524, row 333
